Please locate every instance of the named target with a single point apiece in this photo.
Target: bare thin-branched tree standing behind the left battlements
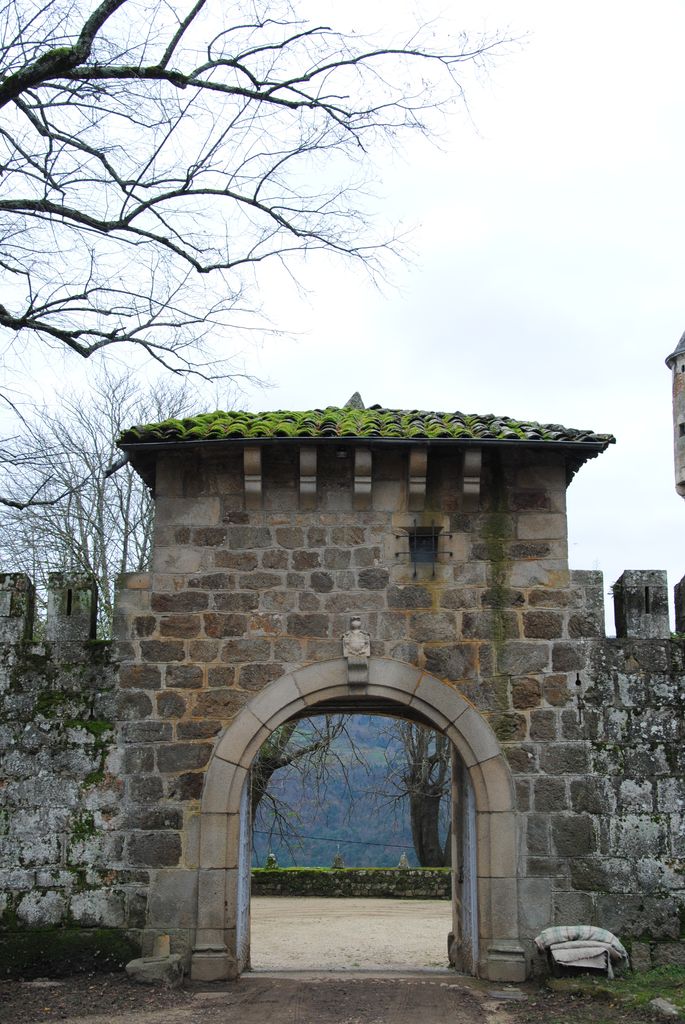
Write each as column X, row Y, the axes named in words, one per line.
column 70, row 511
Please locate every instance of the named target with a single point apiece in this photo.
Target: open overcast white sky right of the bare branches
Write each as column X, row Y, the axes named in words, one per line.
column 547, row 281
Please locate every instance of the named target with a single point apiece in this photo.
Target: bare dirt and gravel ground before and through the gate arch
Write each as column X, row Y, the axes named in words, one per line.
column 318, row 964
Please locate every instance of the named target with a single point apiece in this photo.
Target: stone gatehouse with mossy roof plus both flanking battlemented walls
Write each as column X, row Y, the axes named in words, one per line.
column 447, row 536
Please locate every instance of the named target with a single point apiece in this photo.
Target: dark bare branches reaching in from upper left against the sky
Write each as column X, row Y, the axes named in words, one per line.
column 154, row 155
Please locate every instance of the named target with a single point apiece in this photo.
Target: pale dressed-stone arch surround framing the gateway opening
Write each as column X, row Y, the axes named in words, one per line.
column 222, row 949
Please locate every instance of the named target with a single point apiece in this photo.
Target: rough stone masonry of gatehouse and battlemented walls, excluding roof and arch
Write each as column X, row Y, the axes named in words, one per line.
column 246, row 591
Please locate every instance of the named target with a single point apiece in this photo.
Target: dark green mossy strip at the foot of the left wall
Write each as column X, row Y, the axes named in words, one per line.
column 59, row 952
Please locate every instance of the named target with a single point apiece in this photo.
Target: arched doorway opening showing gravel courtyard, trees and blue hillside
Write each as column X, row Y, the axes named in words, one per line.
column 346, row 810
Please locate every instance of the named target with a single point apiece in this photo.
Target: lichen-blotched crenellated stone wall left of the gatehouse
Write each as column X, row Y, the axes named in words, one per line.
column 62, row 861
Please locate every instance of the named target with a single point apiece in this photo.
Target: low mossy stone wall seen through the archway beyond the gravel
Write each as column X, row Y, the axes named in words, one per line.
column 384, row 883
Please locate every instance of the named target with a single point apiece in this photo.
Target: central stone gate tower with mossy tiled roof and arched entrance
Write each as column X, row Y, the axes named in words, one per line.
column 443, row 537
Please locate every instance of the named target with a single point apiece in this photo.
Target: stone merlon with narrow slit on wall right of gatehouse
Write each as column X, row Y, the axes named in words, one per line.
column 641, row 605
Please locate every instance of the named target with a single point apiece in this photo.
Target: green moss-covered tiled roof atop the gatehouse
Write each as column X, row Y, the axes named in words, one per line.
column 349, row 423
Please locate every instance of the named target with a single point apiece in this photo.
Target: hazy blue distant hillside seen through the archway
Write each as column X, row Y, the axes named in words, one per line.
column 357, row 814
